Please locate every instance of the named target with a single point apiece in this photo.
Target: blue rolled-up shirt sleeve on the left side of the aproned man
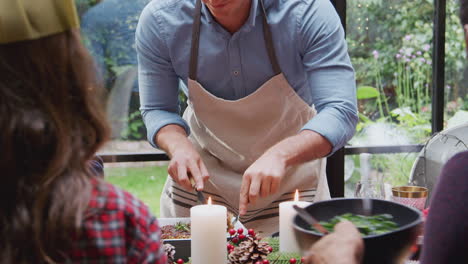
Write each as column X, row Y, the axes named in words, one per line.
column 158, row 83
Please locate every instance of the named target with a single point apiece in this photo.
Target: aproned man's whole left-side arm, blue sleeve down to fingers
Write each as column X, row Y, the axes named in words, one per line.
column 158, row 84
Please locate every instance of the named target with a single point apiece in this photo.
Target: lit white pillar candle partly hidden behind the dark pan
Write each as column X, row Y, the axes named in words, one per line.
column 287, row 237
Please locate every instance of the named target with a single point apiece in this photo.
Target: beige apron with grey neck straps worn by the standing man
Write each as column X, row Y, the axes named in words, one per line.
column 231, row 135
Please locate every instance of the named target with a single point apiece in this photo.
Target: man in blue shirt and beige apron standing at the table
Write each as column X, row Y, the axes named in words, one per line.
column 242, row 139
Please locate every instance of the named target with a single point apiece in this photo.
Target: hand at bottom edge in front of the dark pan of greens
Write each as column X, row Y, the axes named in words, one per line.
column 343, row 246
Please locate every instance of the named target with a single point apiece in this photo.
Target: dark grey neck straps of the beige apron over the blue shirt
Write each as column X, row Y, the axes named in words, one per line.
column 267, row 36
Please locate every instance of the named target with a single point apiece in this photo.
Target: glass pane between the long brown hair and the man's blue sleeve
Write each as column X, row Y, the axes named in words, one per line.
column 108, row 30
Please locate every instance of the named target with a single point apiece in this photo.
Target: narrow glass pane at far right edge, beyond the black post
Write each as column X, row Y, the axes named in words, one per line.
column 456, row 72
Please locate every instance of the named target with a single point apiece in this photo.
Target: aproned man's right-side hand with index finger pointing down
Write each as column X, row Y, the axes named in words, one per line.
column 262, row 178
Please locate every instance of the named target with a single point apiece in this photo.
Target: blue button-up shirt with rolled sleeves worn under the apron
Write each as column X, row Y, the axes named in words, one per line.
column 310, row 46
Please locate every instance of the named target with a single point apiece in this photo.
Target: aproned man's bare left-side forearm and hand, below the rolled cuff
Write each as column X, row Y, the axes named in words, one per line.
column 185, row 161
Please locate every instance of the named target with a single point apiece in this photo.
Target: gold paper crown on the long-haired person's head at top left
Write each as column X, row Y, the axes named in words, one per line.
column 32, row 19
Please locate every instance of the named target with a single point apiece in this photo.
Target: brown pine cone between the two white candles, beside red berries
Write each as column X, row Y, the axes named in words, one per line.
column 249, row 251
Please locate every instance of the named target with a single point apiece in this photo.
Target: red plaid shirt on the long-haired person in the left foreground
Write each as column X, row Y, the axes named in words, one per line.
column 118, row 229
